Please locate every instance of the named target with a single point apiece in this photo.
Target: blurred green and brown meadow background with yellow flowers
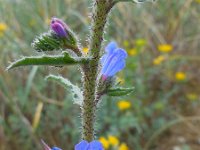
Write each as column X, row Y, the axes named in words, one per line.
column 163, row 43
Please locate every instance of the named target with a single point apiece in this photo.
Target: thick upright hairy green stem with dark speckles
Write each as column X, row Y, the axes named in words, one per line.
column 101, row 9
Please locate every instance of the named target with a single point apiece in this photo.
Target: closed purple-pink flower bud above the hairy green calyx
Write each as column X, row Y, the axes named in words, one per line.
column 59, row 27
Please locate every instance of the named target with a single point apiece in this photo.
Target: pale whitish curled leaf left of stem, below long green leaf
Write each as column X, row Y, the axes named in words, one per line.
column 76, row 91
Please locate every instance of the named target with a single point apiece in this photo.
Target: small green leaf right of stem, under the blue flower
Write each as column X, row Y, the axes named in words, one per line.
column 119, row 91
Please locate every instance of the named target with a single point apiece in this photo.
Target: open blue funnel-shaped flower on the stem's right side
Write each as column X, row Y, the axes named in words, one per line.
column 113, row 60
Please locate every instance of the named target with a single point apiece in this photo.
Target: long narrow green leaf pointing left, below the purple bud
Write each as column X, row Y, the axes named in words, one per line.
column 48, row 60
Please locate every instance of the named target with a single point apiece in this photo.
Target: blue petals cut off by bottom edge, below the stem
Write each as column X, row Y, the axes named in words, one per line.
column 84, row 145
